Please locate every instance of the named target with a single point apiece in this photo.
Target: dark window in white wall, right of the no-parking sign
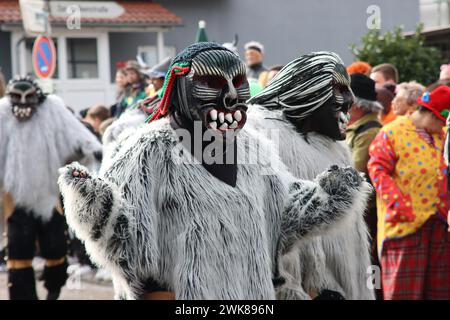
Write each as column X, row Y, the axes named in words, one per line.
column 82, row 62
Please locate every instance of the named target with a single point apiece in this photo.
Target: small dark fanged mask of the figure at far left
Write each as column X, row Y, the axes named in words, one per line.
column 25, row 96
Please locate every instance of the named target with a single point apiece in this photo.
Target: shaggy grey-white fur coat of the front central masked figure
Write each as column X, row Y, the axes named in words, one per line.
column 151, row 214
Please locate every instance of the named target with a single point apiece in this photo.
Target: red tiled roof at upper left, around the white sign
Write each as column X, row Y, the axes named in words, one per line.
column 121, row 14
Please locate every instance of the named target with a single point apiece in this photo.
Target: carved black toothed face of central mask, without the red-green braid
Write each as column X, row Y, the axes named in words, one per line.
column 214, row 91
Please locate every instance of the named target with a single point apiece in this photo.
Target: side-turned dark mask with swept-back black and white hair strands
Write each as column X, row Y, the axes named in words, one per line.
column 314, row 93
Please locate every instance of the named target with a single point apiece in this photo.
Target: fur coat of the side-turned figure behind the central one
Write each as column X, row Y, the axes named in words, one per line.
column 337, row 261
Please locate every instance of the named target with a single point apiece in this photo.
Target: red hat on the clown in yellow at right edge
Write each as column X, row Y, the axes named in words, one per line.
column 438, row 101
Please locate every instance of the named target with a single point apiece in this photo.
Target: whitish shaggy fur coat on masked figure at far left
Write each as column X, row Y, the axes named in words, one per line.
column 32, row 152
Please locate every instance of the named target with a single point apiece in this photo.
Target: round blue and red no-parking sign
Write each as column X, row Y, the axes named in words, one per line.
column 44, row 57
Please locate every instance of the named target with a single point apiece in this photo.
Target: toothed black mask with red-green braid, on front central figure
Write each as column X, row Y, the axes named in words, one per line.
column 210, row 86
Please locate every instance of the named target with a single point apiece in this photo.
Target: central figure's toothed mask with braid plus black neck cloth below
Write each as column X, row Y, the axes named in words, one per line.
column 206, row 87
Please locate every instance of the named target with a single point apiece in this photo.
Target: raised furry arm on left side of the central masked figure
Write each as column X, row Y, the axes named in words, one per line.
column 95, row 210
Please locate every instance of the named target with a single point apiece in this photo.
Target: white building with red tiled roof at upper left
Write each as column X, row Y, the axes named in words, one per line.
column 90, row 38
